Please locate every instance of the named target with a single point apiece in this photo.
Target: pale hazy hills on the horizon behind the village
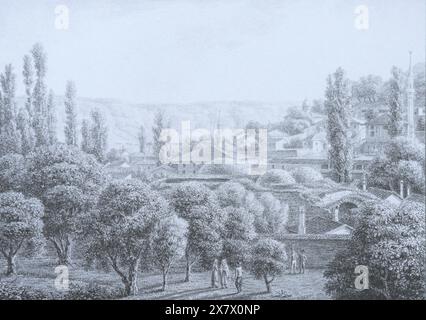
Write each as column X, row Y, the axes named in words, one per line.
column 124, row 119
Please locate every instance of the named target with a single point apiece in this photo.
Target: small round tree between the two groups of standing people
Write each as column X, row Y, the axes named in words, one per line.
column 269, row 260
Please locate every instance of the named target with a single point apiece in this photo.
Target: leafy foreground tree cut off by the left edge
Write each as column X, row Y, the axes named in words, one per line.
column 20, row 226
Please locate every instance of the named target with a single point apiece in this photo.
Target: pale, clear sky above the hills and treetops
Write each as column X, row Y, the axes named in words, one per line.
column 182, row 51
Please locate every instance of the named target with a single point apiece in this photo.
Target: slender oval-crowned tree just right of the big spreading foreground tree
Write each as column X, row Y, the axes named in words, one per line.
column 169, row 244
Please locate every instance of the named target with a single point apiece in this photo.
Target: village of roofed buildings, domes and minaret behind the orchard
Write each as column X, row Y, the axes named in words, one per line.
column 317, row 211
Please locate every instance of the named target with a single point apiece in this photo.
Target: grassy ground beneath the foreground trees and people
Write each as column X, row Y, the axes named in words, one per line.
column 40, row 274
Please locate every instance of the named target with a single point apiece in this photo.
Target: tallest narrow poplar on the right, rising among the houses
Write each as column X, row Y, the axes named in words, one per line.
column 338, row 125
